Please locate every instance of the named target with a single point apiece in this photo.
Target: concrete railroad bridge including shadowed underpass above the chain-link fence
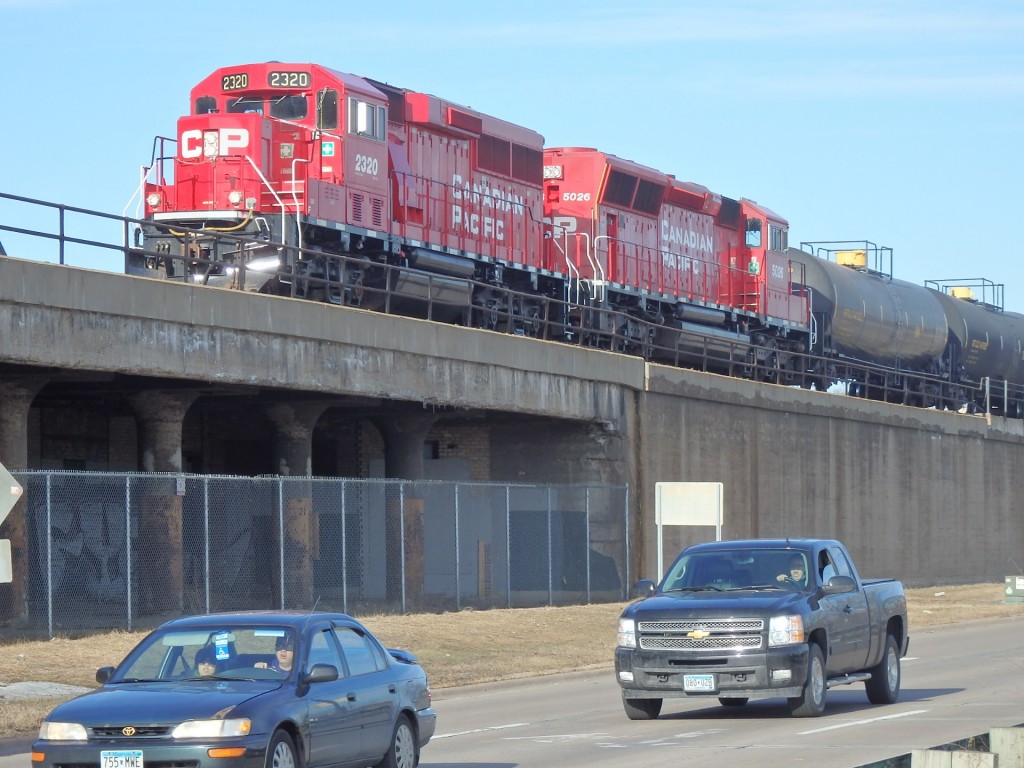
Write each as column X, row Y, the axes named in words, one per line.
column 106, row 372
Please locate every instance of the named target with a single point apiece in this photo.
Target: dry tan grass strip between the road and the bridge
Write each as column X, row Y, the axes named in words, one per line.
column 471, row 647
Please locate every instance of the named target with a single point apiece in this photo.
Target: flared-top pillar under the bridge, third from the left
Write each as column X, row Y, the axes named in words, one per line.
column 294, row 424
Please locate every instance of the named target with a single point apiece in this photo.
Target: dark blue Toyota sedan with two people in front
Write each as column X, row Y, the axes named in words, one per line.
column 270, row 690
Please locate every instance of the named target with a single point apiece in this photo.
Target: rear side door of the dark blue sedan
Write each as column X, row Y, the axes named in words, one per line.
column 372, row 690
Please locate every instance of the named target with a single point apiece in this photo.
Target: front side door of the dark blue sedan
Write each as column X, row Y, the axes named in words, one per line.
column 334, row 722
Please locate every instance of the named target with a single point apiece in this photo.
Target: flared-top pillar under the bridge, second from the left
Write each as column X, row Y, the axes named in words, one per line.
column 158, row 550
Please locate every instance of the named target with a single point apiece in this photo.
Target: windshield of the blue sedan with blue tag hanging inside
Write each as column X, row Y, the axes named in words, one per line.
column 225, row 653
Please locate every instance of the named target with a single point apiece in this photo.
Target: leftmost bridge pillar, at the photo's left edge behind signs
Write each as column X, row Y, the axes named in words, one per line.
column 16, row 400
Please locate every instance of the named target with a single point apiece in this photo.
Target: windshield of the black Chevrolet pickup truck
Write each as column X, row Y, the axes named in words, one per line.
column 739, row 570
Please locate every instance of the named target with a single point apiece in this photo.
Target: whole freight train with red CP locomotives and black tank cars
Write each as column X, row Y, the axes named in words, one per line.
column 300, row 181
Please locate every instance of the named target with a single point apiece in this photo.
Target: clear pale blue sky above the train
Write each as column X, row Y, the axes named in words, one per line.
column 902, row 123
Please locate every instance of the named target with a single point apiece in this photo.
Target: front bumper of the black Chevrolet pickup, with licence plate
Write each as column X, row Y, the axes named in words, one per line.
column 778, row 672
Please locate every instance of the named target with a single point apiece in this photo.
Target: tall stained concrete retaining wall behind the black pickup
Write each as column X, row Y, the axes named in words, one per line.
column 924, row 496
